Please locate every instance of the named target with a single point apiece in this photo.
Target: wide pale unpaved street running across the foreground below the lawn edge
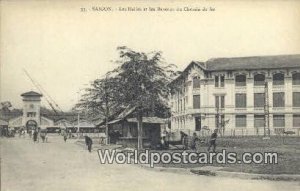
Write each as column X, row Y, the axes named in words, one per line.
column 66, row 166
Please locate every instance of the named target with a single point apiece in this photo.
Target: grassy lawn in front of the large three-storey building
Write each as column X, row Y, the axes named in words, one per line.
column 288, row 150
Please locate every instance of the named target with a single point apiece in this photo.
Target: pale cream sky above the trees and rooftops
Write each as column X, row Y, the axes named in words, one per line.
column 65, row 49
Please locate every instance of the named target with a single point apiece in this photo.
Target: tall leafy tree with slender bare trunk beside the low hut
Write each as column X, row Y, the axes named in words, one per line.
column 143, row 80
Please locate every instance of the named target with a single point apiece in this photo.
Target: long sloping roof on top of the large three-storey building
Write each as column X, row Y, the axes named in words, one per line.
column 255, row 62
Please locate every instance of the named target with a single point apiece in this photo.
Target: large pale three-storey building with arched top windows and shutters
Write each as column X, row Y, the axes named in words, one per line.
column 241, row 96
